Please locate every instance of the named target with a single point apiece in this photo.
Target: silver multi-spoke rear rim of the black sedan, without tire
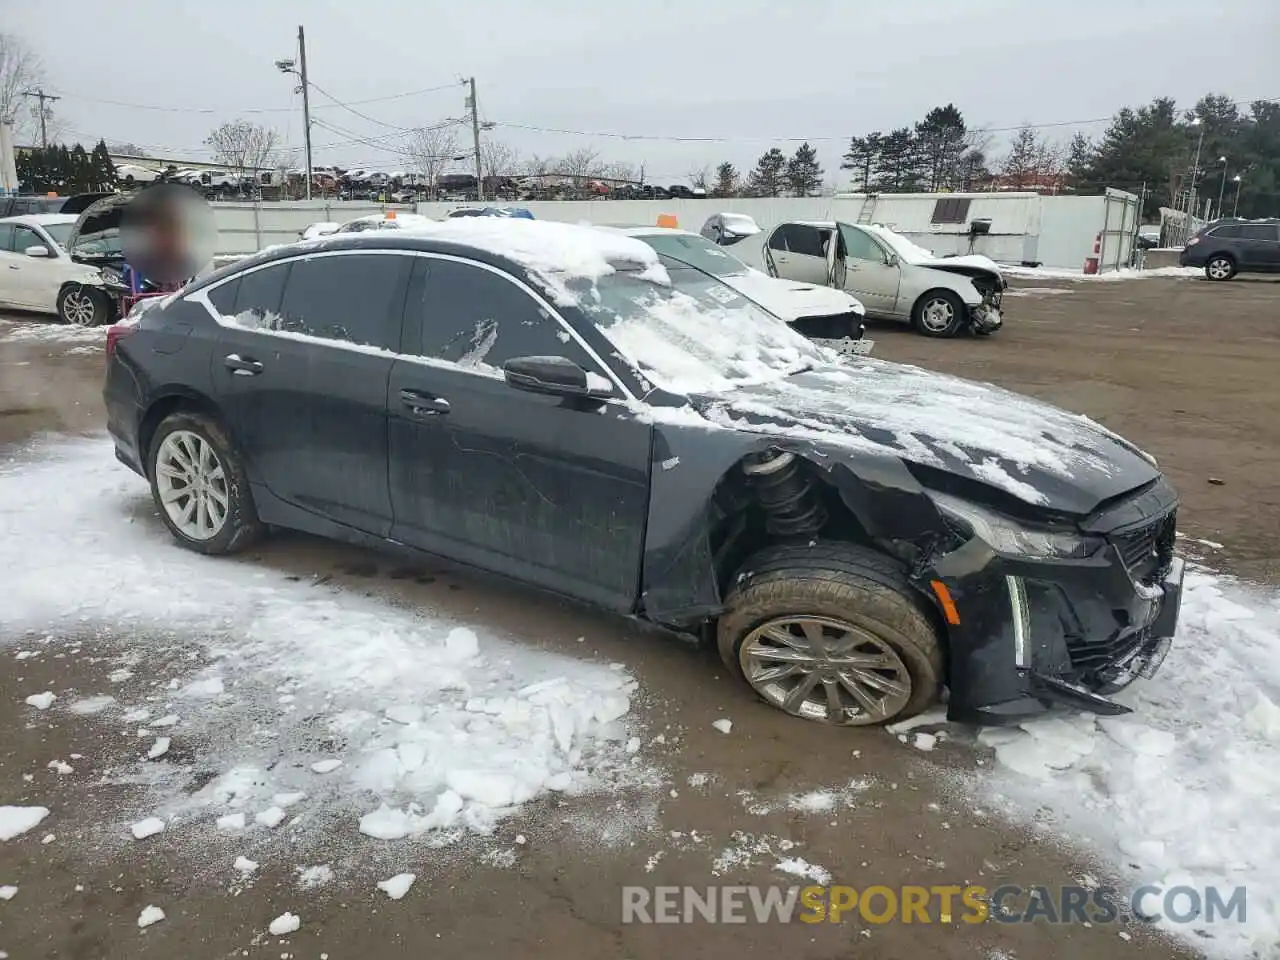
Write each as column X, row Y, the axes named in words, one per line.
column 193, row 486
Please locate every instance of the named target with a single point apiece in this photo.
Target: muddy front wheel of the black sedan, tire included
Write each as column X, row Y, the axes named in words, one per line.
column 831, row 633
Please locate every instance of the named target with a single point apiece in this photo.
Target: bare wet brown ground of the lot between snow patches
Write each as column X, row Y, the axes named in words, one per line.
column 1183, row 368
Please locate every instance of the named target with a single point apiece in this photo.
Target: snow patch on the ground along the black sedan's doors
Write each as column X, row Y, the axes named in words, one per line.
column 309, row 698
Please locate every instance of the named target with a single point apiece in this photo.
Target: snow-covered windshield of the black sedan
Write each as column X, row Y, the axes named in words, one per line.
column 696, row 336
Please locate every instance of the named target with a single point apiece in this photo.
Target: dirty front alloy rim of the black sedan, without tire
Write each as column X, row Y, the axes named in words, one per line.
column 826, row 670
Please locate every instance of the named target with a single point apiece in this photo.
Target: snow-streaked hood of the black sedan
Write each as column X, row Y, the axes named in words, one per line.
column 1040, row 455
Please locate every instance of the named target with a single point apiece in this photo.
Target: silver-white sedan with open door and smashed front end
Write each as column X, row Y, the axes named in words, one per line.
column 894, row 278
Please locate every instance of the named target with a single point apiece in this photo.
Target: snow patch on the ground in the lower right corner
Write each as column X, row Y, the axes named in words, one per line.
column 1186, row 789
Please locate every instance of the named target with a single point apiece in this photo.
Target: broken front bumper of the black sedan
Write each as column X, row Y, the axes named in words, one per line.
column 1035, row 634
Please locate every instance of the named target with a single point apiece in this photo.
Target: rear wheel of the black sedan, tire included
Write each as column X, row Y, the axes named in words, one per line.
column 200, row 486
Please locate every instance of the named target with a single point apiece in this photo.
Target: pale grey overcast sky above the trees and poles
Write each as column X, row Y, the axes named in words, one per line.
column 752, row 72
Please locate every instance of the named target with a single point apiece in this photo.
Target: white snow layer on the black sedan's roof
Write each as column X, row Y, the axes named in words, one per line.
column 557, row 254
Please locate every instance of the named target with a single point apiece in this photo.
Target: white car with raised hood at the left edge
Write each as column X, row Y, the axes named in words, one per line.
column 38, row 275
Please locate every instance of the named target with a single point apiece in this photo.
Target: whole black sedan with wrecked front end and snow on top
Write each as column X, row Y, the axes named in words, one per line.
column 563, row 406
